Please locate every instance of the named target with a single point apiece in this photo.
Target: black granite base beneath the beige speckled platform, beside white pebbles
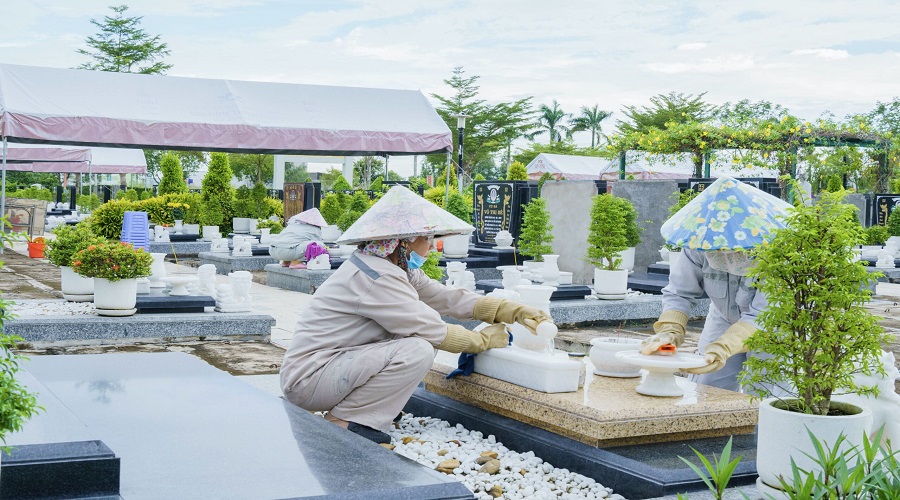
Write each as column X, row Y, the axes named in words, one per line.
column 635, row 472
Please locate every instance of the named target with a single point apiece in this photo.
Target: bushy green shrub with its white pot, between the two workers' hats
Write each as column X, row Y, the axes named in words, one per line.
column 607, row 237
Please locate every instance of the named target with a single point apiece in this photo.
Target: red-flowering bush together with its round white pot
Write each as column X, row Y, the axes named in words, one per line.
column 115, row 268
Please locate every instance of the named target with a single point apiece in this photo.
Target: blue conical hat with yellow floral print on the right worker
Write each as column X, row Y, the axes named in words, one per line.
column 727, row 215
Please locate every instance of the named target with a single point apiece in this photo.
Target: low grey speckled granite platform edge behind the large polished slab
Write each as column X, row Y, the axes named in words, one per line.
column 92, row 329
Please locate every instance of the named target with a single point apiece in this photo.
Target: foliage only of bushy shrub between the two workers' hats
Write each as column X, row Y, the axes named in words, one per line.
column 607, row 235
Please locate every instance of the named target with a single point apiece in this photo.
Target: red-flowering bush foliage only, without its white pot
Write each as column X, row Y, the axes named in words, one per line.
column 112, row 261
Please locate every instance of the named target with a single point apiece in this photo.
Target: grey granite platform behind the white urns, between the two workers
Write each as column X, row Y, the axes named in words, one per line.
column 593, row 311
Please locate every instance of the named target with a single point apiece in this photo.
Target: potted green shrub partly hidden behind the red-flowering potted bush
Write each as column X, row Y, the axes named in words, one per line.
column 68, row 241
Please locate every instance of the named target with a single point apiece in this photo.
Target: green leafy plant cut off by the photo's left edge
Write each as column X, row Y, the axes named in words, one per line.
column 17, row 405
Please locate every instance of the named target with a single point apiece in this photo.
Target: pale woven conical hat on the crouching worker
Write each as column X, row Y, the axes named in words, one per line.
column 403, row 214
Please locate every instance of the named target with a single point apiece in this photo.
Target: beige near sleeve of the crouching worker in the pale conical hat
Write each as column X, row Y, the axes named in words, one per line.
column 391, row 302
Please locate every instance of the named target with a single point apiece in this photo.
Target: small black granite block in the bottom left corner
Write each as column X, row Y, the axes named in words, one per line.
column 80, row 469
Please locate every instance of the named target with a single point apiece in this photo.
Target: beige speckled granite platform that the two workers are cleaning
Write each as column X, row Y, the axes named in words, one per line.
column 607, row 411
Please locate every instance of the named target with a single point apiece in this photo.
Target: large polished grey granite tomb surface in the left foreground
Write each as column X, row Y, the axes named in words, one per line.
column 184, row 429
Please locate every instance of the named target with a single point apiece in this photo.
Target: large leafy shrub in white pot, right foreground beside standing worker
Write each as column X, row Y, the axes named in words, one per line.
column 817, row 334
